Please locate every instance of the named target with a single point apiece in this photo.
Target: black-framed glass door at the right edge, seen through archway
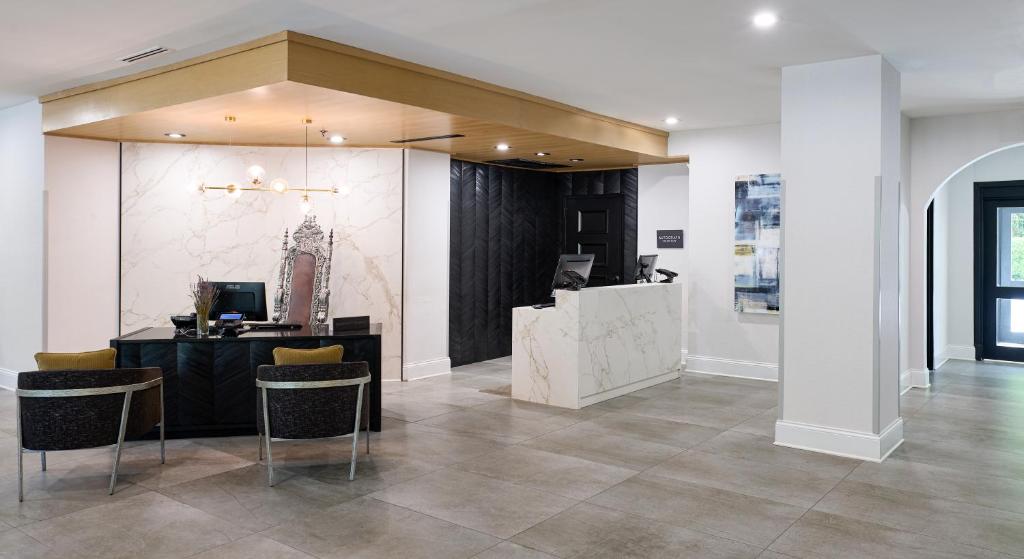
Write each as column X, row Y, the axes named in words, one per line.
column 1000, row 271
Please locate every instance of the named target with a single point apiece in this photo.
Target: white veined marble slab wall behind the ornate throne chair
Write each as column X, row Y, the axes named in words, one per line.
column 170, row 233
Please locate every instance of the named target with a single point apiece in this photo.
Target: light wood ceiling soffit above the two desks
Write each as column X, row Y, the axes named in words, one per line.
column 272, row 84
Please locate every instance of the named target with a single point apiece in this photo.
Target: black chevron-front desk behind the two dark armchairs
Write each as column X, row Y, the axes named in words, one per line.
column 210, row 383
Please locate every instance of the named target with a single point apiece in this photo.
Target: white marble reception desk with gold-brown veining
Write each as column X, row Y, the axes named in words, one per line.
column 598, row 343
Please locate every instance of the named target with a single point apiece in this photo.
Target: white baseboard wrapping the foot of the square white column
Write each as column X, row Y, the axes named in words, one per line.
column 840, row 442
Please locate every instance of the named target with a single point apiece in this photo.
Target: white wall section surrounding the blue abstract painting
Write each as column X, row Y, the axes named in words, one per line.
column 720, row 339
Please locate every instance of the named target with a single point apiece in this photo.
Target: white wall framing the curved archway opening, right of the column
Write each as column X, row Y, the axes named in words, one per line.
column 940, row 148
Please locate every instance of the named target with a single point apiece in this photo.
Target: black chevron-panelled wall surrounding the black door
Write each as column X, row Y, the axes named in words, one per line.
column 505, row 241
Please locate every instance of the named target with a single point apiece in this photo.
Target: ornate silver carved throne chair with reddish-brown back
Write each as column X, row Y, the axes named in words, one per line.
column 305, row 281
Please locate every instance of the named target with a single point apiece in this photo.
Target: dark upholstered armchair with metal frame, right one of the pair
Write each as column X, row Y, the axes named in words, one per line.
column 302, row 402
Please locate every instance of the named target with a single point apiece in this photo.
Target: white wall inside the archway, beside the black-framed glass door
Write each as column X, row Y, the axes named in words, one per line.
column 956, row 228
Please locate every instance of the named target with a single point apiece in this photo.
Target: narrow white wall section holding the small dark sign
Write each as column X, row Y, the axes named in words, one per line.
column 663, row 203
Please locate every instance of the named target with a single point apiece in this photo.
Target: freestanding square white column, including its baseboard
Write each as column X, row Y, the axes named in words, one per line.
column 840, row 335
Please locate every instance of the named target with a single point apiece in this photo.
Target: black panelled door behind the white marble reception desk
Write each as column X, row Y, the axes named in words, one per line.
column 594, row 226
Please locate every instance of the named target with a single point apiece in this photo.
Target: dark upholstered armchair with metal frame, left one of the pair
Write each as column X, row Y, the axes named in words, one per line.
column 74, row 410
